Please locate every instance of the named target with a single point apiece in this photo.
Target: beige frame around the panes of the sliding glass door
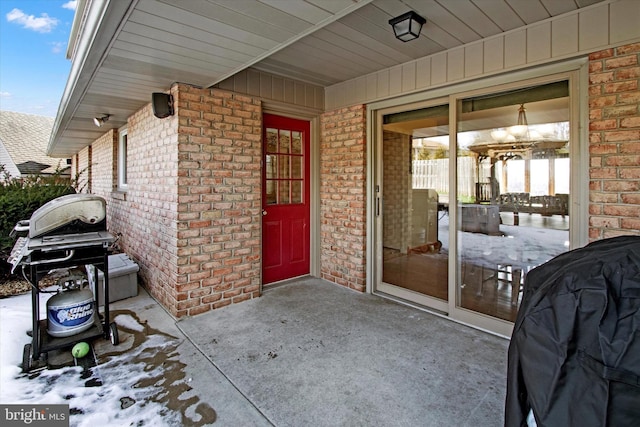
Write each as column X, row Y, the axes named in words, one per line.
column 575, row 72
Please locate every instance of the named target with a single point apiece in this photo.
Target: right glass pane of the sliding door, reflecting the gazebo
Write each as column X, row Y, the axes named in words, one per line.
column 513, row 219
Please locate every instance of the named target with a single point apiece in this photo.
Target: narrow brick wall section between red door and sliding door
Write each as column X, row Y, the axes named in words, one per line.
column 343, row 196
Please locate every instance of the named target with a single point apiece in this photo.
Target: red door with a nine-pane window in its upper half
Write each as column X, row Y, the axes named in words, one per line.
column 285, row 220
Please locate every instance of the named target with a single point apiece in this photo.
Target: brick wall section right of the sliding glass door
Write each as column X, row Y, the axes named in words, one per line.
column 614, row 142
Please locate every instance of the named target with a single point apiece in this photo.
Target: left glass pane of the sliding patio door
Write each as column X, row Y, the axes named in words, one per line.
column 415, row 189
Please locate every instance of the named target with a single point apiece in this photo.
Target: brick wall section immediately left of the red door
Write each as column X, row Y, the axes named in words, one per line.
column 219, row 197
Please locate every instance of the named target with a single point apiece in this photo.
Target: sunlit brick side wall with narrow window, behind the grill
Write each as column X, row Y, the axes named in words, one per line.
column 146, row 214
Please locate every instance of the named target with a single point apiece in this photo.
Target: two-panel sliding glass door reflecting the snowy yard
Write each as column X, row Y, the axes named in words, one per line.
column 471, row 192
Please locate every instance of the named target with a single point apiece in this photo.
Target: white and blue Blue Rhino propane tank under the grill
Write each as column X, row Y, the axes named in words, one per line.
column 72, row 309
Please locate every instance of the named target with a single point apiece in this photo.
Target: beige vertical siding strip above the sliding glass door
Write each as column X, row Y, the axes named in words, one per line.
column 568, row 36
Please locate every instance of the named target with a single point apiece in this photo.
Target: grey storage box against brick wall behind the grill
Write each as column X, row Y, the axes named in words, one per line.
column 123, row 278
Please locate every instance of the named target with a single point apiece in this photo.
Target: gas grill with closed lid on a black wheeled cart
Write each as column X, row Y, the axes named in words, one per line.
column 69, row 231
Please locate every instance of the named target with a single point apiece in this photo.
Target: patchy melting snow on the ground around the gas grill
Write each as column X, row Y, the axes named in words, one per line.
column 143, row 383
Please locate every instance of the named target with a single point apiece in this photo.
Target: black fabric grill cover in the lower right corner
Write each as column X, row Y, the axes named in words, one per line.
column 574, row 356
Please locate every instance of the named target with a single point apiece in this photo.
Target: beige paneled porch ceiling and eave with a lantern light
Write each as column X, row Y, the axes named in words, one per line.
column 122, row 51
